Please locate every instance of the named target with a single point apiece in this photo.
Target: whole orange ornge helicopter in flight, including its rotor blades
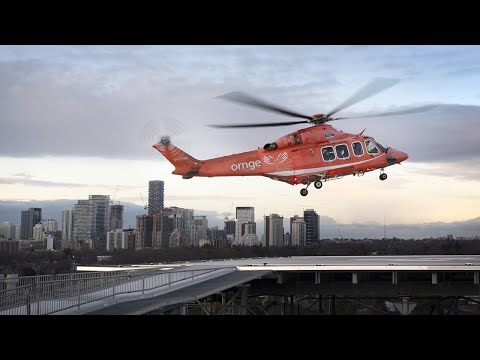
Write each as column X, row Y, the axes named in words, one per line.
column 311, row 155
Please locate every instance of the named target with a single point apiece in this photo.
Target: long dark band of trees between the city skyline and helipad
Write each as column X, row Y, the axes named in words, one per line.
column 53, row 262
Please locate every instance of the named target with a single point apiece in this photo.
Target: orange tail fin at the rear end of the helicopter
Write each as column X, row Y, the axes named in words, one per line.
column 185, row 165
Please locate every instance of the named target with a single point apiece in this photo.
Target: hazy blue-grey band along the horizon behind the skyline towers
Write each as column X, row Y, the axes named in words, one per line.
column 329, row 228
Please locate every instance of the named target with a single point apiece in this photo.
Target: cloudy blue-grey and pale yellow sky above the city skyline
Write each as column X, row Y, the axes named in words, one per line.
column 80, row 120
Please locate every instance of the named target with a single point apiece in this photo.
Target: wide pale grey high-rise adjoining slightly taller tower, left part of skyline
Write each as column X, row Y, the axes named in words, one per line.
column 85, row 221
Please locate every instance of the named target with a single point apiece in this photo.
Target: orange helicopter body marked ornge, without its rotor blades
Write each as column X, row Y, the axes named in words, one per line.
column 317, row 153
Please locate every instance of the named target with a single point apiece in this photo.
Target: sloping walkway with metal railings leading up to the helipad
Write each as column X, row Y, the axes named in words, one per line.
column 43, row 295
